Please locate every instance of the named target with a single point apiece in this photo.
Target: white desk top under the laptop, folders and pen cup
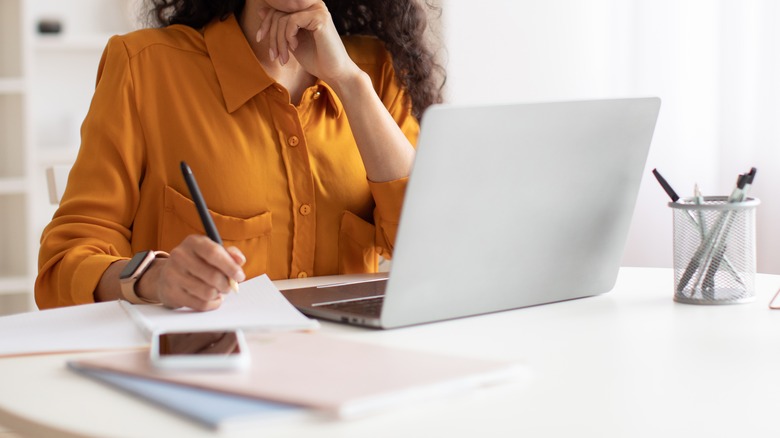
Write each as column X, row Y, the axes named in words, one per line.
column 628, row 363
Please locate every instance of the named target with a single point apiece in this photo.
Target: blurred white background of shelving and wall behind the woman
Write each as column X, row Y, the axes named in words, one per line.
column 714, row 63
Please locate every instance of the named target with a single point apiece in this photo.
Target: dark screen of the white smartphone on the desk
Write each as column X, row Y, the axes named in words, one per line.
column 217, row 343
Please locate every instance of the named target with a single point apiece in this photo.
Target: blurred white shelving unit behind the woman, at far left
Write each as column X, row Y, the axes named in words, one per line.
column 46, row 84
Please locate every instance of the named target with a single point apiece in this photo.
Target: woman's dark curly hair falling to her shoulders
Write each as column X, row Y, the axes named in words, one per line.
column 400, row 24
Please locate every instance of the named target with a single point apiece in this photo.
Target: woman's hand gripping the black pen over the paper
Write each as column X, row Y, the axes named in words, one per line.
column 196, row 275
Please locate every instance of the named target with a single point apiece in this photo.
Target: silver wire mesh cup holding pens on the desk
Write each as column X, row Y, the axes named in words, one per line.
column 714, row 250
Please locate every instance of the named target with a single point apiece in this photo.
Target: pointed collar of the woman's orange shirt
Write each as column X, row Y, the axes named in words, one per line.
column 239, row 73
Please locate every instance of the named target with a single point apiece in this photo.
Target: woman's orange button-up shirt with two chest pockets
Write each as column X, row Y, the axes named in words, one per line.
column 285, row 184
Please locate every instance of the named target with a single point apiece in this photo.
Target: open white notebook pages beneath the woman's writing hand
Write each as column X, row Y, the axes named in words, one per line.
column 107, row 326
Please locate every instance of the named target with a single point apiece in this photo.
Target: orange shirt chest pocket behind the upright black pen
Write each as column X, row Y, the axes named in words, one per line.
column 251, row 235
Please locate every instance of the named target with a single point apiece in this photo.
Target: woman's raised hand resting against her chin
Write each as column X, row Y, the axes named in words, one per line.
column 311, row 37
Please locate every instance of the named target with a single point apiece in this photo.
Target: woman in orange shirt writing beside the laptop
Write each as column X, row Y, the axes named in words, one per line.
column 301, row 140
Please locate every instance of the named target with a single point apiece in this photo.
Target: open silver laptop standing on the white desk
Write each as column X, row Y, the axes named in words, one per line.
column 507, row 206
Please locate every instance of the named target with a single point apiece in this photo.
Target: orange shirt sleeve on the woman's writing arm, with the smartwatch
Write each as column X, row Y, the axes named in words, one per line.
column 91, row 228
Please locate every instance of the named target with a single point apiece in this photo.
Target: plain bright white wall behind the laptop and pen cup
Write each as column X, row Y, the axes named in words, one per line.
column 708, row 60
